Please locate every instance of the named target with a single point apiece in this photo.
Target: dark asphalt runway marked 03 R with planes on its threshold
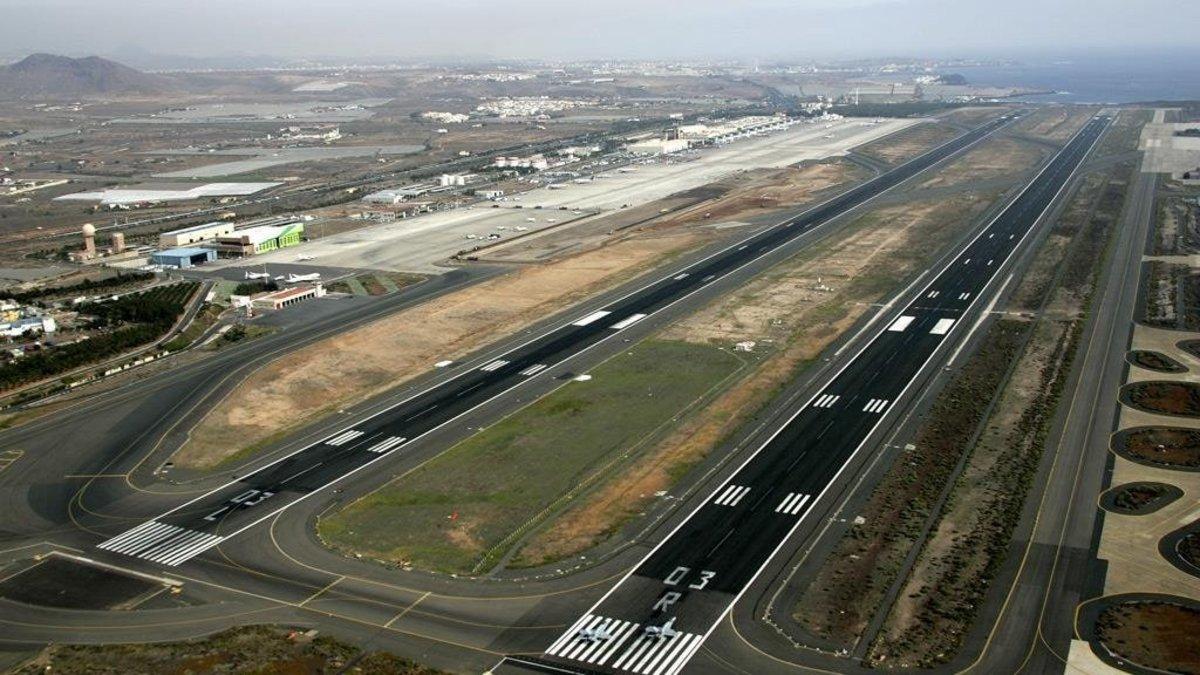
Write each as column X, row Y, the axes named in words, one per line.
column 695, row 576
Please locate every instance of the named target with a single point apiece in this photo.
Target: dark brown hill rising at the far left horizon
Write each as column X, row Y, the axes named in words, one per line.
column 52, row 76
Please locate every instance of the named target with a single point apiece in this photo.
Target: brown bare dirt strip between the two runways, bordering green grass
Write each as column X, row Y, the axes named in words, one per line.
column 794, row 312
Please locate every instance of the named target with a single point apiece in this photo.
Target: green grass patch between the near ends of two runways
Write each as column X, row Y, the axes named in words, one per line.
column 459, row 512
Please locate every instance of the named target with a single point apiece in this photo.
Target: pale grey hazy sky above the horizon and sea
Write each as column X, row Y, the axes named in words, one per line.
column 597, row 28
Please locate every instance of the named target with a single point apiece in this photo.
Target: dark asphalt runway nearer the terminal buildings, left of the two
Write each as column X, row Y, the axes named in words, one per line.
column 194, row 528
